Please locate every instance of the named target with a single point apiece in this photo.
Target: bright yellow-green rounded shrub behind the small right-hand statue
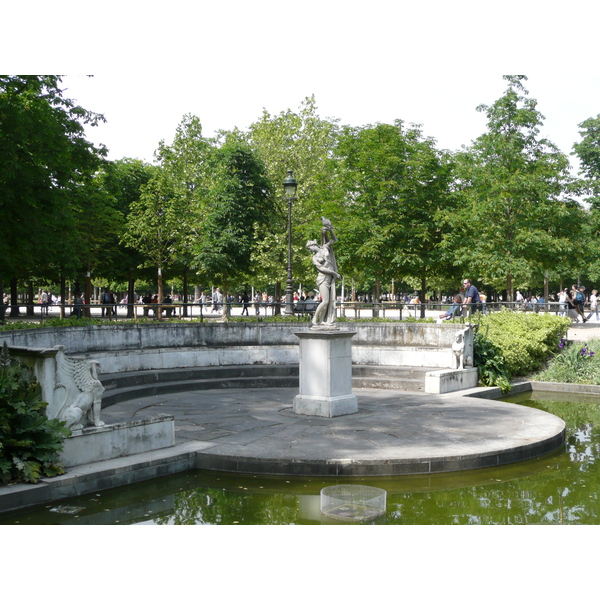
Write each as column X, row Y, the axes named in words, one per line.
column 525, row 340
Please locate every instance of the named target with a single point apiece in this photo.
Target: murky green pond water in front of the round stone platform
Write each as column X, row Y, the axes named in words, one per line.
column 560, row 488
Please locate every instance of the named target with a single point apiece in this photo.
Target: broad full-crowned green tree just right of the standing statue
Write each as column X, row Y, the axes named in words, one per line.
column 392, row 184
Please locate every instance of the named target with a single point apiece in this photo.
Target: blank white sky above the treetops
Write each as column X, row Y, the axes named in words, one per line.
column 430, row 63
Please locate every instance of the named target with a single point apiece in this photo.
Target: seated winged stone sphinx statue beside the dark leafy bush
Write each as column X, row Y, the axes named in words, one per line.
column 78, row 392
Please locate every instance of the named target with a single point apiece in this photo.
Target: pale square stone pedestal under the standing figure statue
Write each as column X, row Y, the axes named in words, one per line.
column 325, row 374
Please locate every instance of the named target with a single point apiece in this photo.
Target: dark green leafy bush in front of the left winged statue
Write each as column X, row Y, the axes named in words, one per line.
column 29, row 441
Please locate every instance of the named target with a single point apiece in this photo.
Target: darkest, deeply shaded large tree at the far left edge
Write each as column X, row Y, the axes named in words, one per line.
column 45, row 161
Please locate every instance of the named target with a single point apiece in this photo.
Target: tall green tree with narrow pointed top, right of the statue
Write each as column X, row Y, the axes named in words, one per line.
column 512, row 223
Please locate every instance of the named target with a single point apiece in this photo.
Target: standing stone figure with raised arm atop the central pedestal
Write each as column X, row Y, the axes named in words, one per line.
column 324, row 260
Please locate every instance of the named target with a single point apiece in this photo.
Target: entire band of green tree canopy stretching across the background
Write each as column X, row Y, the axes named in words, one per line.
column 502, row 211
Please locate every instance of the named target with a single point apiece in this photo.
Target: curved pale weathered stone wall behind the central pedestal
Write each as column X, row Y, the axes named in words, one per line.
column 131, row 346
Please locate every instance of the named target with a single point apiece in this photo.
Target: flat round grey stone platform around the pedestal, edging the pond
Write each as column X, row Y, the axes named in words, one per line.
column 393, row 433
